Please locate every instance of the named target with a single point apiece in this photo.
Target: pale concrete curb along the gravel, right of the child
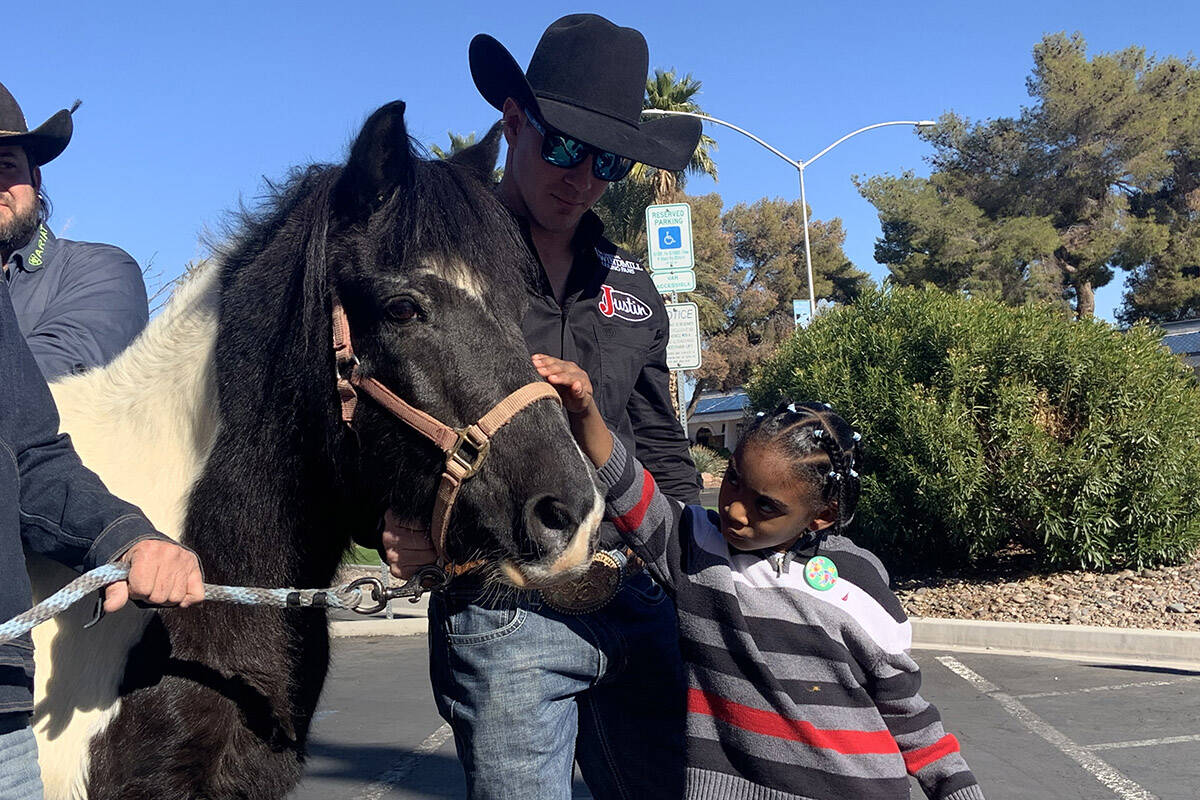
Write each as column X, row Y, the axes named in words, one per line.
column 1172, row 649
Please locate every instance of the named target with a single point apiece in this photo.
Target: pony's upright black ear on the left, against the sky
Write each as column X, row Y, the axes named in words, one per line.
column 381, row 160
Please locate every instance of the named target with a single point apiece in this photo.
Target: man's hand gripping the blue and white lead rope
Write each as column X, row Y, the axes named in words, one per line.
column 160, row 573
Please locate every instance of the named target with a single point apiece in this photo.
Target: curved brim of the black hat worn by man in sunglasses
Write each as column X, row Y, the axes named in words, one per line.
column 667, row 143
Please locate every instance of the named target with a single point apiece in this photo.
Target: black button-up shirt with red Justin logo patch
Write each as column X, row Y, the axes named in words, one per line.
column 614, row 324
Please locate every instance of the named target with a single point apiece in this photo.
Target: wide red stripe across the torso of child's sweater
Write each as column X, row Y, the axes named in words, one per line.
column 849, row 743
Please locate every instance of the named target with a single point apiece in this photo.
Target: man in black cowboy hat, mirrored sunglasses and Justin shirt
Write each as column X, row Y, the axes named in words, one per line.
column 590, row 672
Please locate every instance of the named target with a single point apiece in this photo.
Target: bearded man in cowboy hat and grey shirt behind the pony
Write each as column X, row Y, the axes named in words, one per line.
column 79, row 304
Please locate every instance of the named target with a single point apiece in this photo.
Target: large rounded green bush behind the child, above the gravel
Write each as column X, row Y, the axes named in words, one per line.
column 987, row 426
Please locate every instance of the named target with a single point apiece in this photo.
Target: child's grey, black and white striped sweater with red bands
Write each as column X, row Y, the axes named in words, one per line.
column 793, row 693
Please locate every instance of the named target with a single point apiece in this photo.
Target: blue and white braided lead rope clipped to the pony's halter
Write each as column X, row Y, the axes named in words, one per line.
column 110, row 574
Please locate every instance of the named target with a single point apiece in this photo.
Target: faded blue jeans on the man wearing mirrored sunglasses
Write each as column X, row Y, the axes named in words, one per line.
column 529, row 691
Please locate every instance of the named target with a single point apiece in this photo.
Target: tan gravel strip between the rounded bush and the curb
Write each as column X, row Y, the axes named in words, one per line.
column 1167, row 598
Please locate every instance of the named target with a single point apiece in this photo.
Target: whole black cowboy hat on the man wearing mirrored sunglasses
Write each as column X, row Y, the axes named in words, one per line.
column 587, row 79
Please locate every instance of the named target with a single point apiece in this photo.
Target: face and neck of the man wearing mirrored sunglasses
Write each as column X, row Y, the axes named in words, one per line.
column 554, row 199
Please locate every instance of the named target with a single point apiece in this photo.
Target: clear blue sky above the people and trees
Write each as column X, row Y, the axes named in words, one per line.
column 189, row 107
